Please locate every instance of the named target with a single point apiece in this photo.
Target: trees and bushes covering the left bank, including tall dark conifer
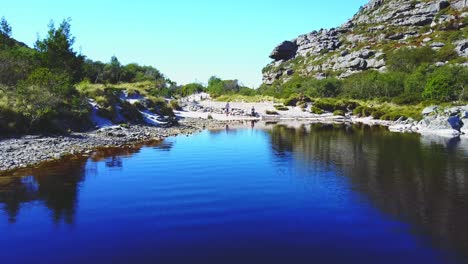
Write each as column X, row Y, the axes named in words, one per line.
column 46, row 88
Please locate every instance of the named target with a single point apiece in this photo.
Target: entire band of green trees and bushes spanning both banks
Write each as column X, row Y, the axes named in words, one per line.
column 46, row 88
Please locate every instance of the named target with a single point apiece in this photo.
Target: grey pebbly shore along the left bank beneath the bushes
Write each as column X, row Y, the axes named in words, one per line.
column 28, row 151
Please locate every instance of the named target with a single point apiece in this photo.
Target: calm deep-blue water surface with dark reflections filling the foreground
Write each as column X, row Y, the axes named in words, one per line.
column 310, row 194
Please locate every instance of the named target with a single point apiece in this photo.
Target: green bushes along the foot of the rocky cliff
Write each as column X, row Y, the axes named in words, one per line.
column 411, row 78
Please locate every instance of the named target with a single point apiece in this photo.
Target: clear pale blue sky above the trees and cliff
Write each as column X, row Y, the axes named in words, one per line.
column 188, row 40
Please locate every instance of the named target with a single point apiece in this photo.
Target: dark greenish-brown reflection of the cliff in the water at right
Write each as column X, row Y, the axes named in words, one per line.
column 412, row 178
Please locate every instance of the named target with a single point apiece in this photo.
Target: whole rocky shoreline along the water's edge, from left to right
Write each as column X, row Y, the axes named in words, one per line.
column 29, row 151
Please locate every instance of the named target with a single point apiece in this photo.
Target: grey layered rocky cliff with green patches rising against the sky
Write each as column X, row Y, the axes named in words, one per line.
column 364, row 42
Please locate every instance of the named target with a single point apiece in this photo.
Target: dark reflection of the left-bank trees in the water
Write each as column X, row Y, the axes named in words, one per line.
column 57, row 184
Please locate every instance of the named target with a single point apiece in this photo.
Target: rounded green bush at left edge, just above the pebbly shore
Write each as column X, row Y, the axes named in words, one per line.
column 44, row 102
